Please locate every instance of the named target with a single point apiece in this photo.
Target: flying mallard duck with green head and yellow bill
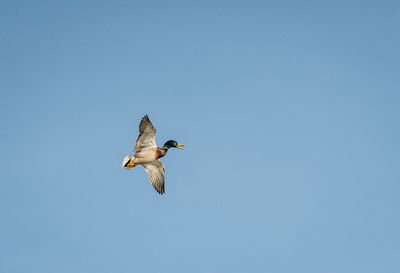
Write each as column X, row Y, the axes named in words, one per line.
column 148, row 154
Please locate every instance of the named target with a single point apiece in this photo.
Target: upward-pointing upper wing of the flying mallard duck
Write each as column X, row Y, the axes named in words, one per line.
column 147, row 135
